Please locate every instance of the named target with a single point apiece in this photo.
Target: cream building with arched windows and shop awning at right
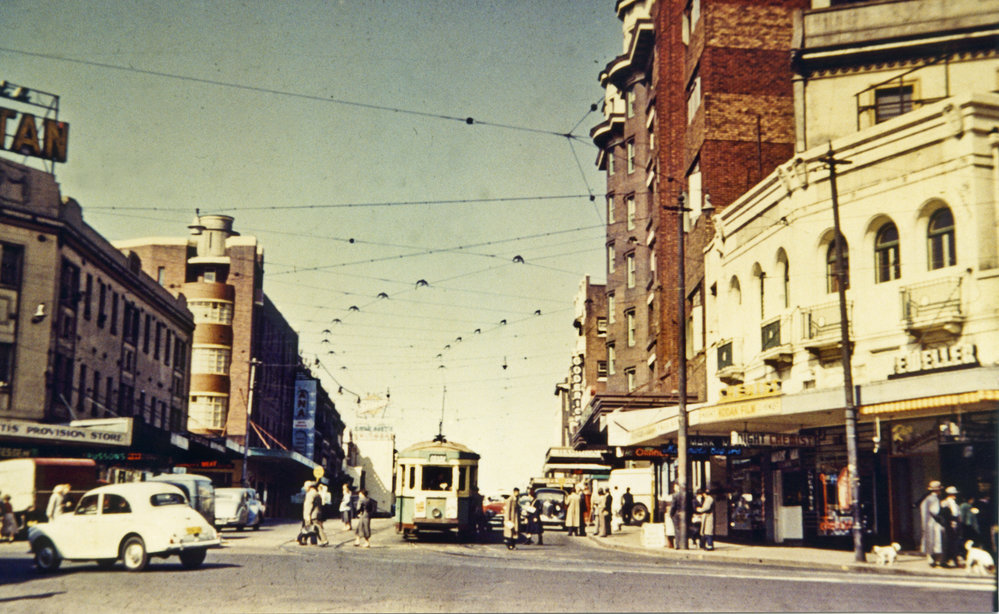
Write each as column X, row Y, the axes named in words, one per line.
column 901, row 93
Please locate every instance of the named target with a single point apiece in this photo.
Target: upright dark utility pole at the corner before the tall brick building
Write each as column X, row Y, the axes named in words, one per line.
column 683, row 461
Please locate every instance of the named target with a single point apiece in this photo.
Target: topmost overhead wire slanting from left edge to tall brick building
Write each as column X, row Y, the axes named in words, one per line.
column 470, row 121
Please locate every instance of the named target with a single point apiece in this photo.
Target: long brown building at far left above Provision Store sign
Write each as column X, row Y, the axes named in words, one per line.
column 86, row 337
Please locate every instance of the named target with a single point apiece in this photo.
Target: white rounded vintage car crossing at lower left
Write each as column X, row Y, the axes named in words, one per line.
column 131, row 522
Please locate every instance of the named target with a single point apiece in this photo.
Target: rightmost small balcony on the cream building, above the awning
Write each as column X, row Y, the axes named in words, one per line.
column 932, row 310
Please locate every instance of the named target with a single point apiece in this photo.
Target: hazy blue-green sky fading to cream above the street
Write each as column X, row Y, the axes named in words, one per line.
column 304, row 120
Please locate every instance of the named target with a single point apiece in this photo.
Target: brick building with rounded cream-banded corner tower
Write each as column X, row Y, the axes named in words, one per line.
column 244, row 355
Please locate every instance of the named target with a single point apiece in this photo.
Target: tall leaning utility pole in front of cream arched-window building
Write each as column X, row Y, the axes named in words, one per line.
column 845, row 351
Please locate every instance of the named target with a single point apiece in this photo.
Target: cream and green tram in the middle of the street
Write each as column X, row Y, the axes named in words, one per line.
column 436, row 488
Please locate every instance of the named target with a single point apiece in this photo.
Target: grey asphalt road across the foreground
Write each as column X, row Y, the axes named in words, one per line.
column 267, row 571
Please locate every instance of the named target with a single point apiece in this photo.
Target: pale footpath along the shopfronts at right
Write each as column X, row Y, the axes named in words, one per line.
column 649, row 539
